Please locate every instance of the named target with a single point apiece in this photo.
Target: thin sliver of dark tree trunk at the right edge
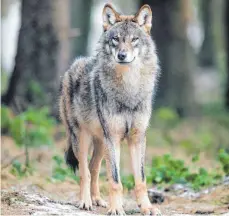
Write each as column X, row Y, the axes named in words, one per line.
column 227, row 50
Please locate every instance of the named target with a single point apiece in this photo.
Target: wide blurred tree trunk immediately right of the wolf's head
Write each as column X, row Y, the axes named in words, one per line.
column 175, row 55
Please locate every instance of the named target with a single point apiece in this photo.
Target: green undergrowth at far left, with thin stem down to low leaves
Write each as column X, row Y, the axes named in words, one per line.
column 29, row 129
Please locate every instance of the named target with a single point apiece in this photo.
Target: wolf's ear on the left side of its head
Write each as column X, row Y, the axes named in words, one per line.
column 110, row 16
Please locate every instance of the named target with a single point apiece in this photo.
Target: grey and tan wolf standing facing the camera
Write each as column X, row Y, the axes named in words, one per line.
column 107, row 98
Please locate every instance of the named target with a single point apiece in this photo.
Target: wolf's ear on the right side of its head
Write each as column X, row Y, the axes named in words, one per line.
column 144, row 18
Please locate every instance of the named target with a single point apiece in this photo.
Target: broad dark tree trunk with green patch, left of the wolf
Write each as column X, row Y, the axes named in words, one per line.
column 34, row 81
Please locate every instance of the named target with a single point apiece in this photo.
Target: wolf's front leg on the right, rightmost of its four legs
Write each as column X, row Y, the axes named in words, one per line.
column 137, row 144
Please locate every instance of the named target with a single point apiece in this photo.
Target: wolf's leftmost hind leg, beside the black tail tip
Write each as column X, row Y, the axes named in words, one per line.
column 82, row 154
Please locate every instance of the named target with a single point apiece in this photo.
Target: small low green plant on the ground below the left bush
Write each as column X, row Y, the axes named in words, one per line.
column 19, row 170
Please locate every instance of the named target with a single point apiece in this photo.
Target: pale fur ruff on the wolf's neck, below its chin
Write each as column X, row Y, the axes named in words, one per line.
column 126, row 84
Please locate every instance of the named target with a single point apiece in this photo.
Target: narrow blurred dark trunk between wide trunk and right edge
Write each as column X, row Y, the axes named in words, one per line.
column 207, row 53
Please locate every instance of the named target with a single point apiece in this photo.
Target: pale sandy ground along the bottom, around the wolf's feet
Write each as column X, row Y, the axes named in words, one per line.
column 32, row 200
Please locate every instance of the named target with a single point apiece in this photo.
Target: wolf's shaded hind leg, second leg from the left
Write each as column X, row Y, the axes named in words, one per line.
column 95, row 165
